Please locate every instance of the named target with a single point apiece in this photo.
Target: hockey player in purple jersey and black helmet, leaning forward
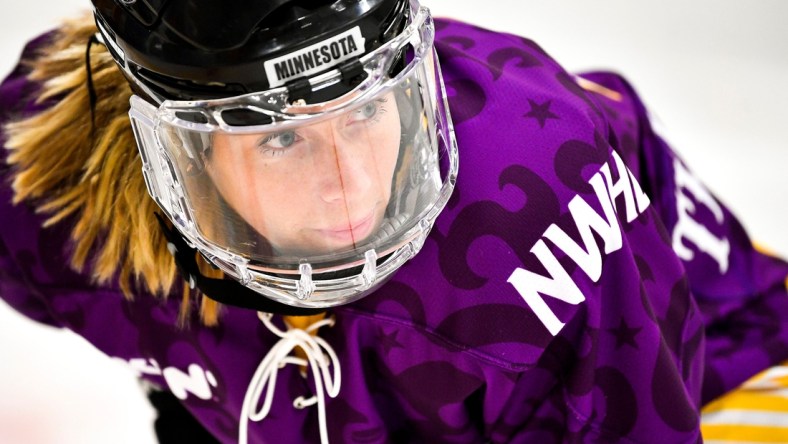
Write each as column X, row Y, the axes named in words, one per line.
column 297, row 163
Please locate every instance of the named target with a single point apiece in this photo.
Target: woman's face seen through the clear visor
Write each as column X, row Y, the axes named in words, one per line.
column 315, row 189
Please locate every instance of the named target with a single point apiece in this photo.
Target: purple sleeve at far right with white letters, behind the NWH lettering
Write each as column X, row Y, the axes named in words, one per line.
column 739, row 289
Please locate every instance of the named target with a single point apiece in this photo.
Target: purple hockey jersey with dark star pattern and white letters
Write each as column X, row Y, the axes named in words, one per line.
column 581, row 284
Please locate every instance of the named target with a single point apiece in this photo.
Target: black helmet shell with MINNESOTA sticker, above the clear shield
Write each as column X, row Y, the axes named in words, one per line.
column 188, row 49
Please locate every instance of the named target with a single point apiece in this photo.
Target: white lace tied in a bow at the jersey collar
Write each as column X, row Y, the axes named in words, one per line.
column 319, row 358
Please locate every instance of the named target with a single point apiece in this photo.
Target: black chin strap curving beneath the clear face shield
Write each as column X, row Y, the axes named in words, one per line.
column 225, row 291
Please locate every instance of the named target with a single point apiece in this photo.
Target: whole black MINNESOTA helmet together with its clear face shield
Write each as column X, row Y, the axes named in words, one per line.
column 339, row 103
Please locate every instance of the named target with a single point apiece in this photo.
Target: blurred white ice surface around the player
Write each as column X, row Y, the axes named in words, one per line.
column 714, row 73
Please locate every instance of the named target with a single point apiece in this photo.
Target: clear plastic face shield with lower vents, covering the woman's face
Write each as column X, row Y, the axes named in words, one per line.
column 310, row 204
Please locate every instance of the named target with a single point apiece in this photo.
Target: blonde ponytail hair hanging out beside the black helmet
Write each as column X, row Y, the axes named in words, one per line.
column 91, row 175
